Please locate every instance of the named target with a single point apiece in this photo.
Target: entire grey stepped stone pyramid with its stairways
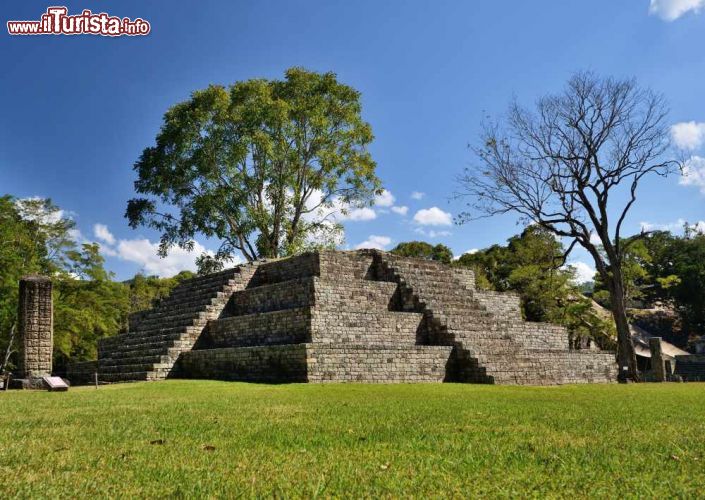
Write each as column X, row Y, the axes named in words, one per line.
column 336, row 316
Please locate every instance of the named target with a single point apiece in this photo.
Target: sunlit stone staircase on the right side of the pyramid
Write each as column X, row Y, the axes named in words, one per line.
column 486, row 351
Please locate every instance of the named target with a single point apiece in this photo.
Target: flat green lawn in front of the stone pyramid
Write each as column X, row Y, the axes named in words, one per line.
column 192, row 438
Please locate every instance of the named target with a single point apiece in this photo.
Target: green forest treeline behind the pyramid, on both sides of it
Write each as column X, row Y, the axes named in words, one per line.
column 662, row 270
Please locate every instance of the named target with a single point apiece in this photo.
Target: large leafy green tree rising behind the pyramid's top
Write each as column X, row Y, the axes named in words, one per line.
column 260, row 165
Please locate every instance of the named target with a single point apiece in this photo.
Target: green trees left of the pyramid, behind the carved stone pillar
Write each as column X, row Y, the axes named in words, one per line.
column 37, row 239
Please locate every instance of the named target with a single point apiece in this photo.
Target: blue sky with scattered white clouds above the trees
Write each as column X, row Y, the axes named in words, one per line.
column 77, row 111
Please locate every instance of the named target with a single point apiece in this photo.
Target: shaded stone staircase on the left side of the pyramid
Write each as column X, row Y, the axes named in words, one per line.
column 158, row 336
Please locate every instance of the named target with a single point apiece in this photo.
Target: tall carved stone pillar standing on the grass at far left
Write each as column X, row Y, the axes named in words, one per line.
column 36, row 327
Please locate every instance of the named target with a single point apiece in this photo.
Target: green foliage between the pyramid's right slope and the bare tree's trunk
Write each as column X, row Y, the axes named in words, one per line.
column 531, row 264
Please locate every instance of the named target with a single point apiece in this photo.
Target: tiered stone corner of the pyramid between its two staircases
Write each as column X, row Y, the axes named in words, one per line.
column 327, row 323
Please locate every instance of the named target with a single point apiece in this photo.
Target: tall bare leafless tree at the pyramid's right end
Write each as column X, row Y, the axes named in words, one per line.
column 573, row 166
